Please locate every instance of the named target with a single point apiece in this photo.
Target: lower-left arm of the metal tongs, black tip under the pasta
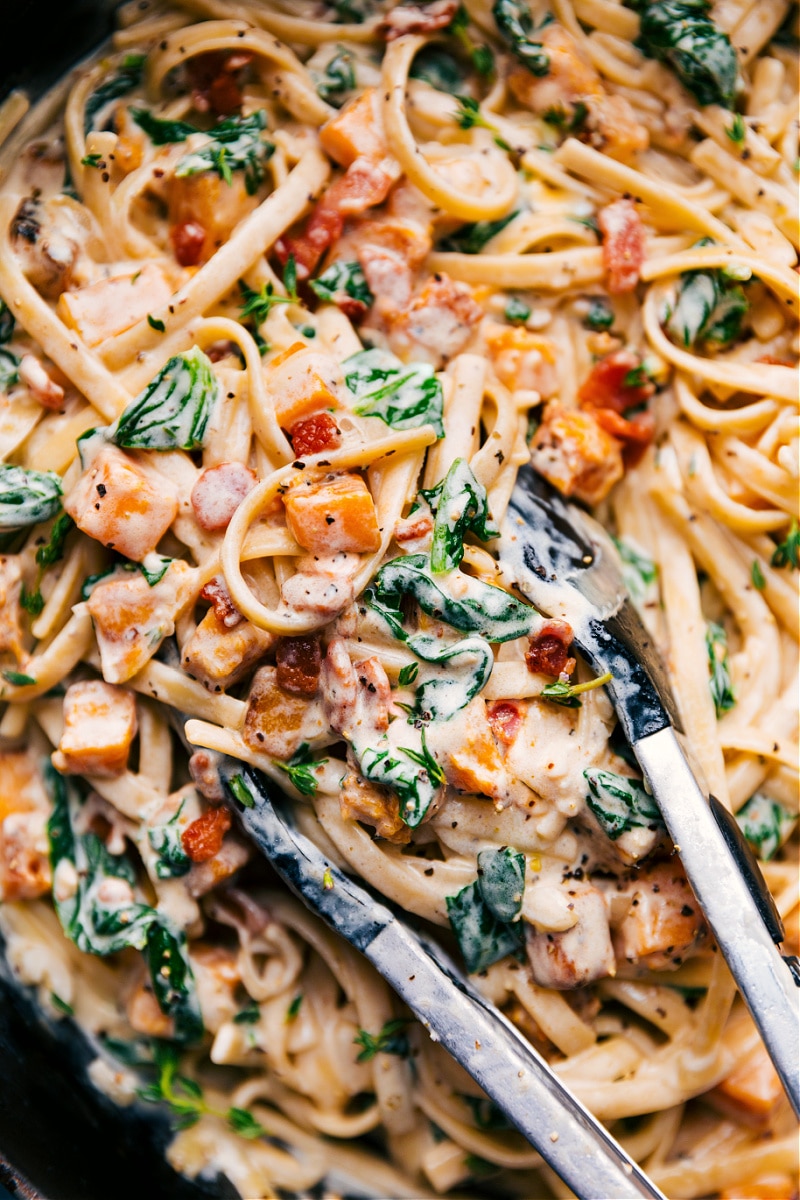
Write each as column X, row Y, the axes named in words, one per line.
column 509, row 1070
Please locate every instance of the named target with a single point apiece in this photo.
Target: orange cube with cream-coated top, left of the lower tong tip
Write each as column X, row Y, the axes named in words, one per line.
column 99, row 728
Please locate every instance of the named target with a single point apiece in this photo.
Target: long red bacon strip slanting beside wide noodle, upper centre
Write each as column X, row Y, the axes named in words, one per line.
column 364, row 185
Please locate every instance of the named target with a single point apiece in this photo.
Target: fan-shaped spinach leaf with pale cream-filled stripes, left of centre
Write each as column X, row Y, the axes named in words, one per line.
column 173, row 411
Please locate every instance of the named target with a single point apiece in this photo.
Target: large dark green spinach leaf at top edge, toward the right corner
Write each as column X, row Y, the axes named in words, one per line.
column 682, row 34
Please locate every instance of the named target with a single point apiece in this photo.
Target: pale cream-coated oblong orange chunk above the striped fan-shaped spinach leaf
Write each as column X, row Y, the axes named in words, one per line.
column 115, row 305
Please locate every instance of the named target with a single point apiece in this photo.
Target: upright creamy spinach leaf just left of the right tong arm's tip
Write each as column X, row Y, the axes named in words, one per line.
column 459, row 503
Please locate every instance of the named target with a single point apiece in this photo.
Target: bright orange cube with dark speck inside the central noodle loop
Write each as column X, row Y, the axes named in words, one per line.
column 333, row 515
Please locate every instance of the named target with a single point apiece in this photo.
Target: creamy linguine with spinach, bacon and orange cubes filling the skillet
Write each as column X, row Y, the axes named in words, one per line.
column 290, row 293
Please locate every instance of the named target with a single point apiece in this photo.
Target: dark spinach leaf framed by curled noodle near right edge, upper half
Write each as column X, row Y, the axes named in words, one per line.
column 709, row 308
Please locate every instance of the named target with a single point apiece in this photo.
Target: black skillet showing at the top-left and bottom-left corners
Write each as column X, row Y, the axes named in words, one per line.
column 61, row 1139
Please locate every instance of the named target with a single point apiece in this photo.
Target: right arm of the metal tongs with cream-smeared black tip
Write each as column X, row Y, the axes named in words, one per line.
column 568, row 567
